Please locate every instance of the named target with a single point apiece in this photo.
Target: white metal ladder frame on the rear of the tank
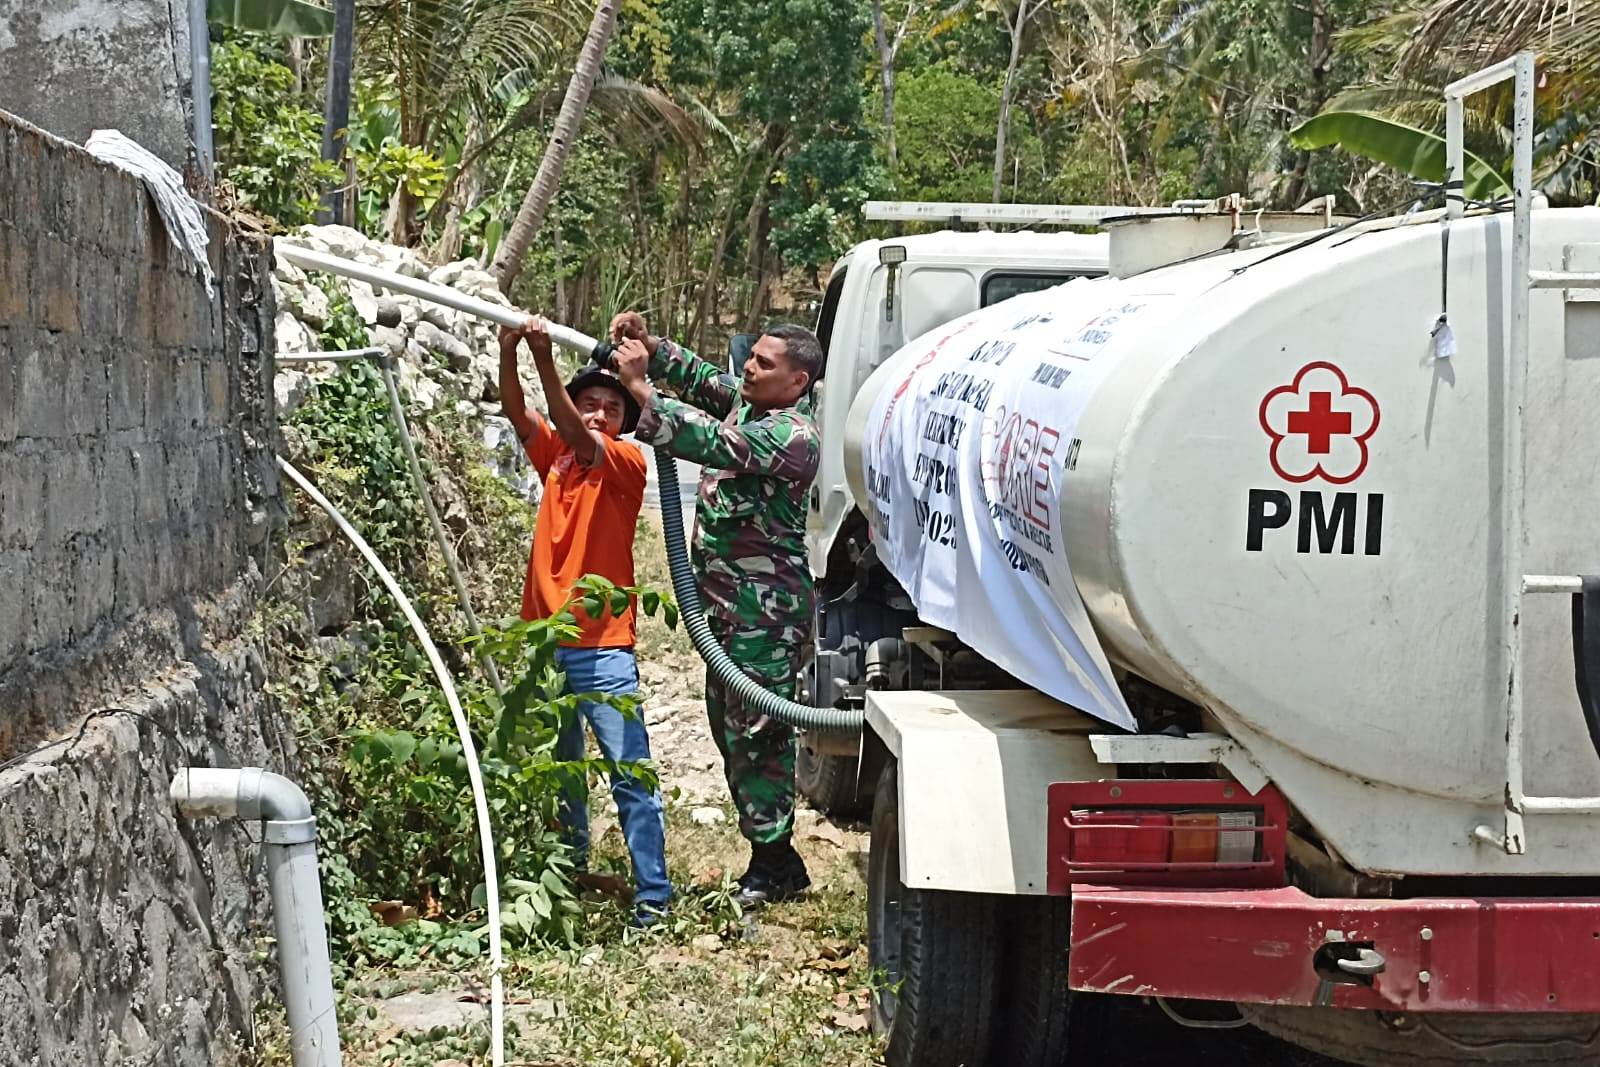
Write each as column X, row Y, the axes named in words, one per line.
column 1514, row 585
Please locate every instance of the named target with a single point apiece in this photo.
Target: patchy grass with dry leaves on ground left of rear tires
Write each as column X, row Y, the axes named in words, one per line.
column 708, row 989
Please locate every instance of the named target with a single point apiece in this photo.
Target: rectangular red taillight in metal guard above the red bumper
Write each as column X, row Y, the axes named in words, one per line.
column 1166, row 833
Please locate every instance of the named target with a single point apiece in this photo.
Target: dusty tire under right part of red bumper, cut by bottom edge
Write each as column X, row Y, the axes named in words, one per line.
column 1378, row 1039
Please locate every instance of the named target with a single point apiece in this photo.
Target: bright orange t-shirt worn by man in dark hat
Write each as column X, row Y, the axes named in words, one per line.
column 585, row 527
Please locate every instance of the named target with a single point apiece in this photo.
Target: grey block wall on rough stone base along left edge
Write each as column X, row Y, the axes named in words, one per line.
column 137, row 510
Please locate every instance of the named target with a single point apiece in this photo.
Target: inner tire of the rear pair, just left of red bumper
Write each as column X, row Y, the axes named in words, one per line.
column 1036, row 1005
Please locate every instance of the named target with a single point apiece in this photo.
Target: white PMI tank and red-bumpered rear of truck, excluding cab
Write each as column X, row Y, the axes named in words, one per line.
column 1252, row 655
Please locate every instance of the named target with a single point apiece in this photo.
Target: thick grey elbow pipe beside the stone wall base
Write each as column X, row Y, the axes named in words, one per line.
column 289, row 844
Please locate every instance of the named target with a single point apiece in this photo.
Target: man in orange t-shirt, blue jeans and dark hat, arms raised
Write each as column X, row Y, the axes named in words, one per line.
column 594, row 486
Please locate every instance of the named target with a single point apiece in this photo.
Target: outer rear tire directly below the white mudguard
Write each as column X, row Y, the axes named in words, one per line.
column 932, row 956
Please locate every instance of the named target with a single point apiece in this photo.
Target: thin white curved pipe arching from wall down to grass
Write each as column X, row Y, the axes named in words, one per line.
column 468, row 749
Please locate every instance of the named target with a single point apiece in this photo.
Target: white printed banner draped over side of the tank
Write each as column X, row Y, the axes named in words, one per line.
column 966, row 458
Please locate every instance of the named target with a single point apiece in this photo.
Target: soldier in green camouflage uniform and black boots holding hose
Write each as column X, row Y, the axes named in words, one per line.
column 759, row 447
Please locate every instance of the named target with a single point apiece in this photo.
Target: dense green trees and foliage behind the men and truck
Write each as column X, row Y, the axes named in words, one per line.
column 729, row 146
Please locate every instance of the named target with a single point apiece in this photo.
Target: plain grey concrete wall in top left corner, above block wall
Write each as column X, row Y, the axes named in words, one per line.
column 73, row 66
